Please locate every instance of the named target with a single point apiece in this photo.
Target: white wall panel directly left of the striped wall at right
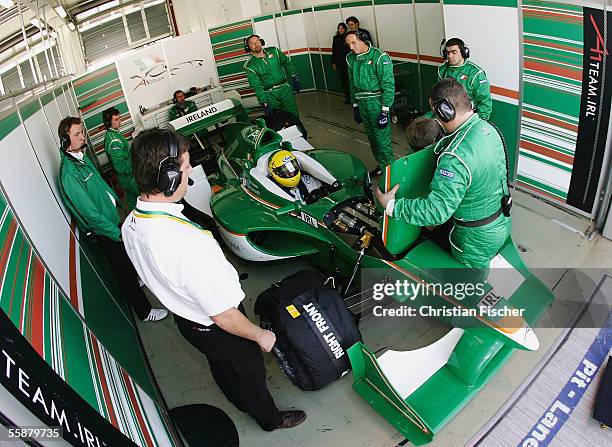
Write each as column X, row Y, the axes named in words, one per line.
column 498, row 54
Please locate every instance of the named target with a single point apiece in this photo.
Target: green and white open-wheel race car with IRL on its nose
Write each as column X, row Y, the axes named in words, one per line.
column 342, row 231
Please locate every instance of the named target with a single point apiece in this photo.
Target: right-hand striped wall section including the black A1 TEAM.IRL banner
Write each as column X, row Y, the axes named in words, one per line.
column 566, row 102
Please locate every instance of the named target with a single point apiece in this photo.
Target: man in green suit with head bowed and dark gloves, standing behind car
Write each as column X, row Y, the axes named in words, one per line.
column 372, row 93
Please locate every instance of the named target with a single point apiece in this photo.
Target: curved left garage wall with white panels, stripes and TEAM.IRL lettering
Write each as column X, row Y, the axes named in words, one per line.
column 78, row 349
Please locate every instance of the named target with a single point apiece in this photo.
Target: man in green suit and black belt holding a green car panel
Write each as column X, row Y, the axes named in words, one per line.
column 469, row 184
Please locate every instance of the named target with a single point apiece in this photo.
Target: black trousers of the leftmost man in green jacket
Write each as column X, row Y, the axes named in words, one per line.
column 126, row 275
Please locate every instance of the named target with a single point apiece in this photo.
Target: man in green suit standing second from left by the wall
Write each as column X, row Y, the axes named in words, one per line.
column 118, row 151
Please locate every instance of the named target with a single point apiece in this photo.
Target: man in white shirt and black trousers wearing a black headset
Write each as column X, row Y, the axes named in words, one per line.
column 182, row 264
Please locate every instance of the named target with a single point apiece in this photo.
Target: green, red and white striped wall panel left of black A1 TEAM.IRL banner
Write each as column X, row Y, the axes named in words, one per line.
column 552, row 81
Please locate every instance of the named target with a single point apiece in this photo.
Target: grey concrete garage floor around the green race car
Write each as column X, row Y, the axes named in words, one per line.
column 553, row 243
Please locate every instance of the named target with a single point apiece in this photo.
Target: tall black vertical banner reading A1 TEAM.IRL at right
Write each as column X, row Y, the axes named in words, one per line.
column 594, row 110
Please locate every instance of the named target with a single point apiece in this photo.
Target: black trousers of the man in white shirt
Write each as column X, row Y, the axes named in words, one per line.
column 238, row 368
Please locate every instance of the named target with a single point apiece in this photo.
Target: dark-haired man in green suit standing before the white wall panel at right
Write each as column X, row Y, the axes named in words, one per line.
column 467, row 73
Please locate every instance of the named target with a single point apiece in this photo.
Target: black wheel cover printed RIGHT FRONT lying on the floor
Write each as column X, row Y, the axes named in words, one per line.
column 313, row 329
